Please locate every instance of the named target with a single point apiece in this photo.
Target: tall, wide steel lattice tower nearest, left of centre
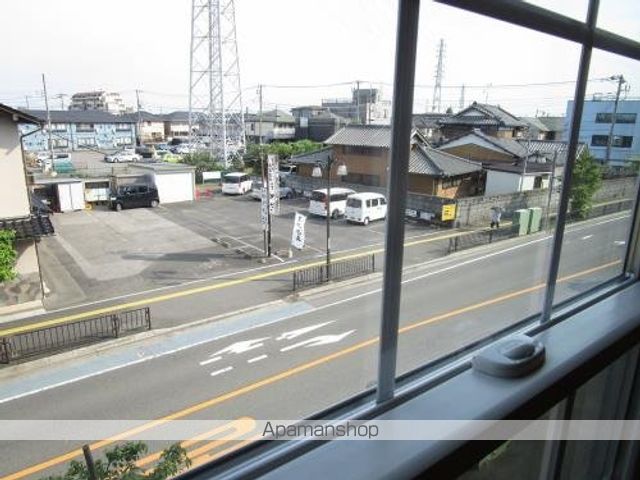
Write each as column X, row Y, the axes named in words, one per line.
column 215, row 99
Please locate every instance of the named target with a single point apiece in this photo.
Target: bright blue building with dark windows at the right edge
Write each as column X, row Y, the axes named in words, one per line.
column 596, row 124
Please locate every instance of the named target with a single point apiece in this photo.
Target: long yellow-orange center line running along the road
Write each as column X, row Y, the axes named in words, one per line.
column 286, row 374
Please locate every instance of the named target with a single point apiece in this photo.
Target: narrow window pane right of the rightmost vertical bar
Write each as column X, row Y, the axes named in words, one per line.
column 604, row 182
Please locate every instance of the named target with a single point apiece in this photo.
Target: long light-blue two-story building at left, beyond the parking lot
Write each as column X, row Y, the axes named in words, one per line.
column 81, row 129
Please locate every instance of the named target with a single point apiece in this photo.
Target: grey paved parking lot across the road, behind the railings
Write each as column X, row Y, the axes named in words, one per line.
column 99, row 253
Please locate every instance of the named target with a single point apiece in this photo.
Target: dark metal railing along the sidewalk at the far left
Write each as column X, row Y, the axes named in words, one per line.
column 58, row 337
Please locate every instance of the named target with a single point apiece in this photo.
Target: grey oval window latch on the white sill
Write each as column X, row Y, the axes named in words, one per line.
column 510, row 358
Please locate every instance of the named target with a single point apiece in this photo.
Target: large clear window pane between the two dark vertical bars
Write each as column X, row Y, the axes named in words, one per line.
column 490, row 269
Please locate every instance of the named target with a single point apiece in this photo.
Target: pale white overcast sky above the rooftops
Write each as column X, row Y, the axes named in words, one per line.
column 302, row 51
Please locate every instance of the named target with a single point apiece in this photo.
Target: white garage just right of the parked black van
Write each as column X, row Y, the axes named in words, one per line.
column 175, row 182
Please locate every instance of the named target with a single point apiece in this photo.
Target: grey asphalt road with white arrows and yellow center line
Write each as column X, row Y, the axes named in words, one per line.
column 296, row 357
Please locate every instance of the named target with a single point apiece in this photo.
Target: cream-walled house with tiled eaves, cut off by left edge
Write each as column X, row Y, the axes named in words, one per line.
column 17, row 215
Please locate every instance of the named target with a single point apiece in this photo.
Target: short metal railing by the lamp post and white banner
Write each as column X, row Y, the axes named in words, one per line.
column 339, row 270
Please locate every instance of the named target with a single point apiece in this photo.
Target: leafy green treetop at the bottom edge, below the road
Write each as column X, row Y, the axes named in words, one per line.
column 120, row 464
